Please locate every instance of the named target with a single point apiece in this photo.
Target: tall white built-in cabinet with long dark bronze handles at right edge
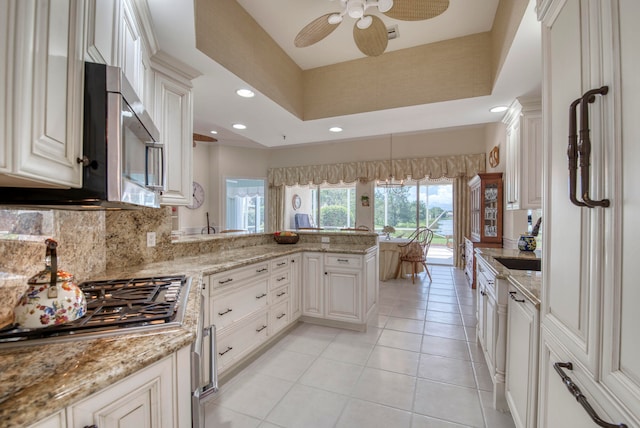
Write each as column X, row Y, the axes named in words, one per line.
column 589, row 310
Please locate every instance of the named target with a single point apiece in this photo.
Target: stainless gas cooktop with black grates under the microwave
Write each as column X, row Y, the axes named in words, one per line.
column 114, row 307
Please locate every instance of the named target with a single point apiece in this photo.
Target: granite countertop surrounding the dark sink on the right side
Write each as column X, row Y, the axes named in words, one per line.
column 526, row 281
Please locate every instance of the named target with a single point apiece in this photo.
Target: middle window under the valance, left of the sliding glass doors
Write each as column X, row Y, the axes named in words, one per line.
column 334, row 206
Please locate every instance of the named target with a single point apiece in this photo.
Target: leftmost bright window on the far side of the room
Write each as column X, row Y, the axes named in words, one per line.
column 245, row 208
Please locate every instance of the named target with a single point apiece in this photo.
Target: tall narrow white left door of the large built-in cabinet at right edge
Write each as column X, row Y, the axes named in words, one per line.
column 570, row 297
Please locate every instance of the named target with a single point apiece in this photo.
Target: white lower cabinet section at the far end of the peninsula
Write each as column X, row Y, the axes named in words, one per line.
column 340, row 287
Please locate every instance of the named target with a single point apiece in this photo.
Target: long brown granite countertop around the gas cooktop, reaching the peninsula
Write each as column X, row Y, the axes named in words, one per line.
column 39, row 380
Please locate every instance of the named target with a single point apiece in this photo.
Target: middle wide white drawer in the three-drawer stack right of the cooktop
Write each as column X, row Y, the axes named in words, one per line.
column 232, row 306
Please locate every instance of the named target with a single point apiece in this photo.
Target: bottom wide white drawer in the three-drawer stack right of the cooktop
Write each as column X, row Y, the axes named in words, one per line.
column 240, row 340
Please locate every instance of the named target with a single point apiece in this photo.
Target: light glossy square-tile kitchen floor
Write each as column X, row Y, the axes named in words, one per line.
column 418, row 365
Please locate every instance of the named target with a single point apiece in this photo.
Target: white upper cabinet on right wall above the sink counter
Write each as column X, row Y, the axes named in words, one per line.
column 523, row 170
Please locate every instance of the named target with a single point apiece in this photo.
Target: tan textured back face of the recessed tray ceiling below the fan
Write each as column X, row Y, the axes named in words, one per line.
column 449, row 70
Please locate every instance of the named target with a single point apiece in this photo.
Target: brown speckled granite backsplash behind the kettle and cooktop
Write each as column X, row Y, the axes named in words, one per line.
column 89, row 242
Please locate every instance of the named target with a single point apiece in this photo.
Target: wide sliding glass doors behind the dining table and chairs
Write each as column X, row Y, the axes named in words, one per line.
column 423, row 203
